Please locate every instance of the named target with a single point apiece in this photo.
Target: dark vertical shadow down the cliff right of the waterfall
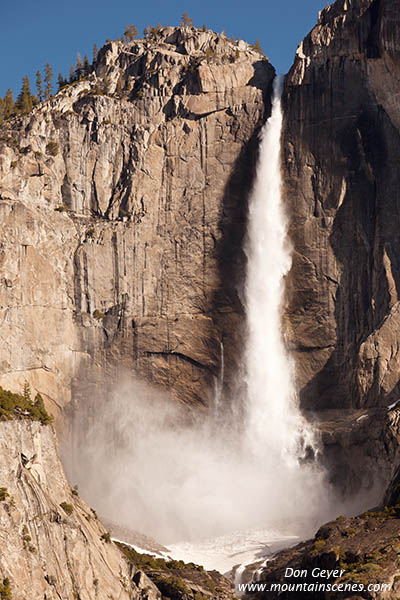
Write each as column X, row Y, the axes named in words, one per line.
column 365, row 229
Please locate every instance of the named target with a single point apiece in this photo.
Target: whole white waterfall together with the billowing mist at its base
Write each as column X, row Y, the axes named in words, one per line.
column 249, row 486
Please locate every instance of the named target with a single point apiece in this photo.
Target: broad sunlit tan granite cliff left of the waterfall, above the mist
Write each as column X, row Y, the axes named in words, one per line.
column 123, row 216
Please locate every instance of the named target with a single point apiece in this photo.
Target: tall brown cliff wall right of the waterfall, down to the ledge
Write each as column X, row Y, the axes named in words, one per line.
column 342, row 181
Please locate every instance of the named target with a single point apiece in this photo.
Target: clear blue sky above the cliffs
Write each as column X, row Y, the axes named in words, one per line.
column 36, row 31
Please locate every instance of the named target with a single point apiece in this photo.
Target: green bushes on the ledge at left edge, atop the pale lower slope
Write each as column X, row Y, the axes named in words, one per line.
column 16, row 406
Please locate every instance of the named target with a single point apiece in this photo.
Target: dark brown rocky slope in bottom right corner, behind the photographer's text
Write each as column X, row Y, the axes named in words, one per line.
column 355, row 557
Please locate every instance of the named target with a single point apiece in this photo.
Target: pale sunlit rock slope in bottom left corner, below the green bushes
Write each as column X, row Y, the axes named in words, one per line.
column 52, row 544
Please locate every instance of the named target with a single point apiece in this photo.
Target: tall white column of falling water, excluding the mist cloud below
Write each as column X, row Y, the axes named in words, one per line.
column 274, row 419
